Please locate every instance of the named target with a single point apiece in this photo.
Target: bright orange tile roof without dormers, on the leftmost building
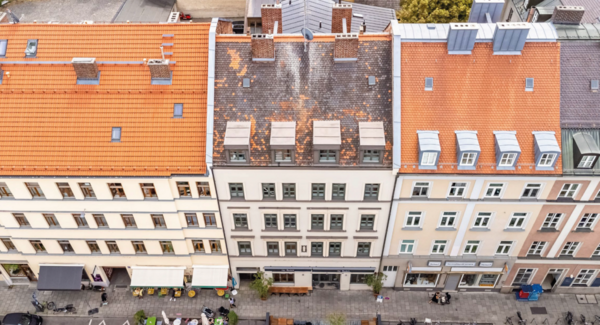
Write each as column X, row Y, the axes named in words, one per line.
column 49, row 125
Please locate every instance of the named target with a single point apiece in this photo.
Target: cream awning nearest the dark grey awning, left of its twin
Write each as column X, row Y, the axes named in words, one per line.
column 155, row 276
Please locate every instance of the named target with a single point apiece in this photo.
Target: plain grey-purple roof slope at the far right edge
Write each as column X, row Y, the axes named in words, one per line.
column 579, row 64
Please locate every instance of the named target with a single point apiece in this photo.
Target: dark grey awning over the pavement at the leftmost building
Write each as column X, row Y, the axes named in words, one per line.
column 60, row 277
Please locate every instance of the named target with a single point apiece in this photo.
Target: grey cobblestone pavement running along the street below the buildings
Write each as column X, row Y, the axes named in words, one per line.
column 465, row 307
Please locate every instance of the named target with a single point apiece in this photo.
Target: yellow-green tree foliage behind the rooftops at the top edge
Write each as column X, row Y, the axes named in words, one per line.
column 434, row 11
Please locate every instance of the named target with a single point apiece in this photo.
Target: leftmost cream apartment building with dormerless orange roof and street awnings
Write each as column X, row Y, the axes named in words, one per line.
column 103, row 172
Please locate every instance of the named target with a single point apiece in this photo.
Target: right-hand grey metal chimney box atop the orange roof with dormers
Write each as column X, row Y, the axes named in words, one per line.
column 510, row 38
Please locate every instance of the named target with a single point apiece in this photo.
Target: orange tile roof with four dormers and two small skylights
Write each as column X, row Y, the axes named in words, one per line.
column 480, row 92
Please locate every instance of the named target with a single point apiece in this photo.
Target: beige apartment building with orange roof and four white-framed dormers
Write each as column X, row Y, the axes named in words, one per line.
column 476, row 164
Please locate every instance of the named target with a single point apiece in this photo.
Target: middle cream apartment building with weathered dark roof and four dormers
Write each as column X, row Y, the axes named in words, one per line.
column 303, row 154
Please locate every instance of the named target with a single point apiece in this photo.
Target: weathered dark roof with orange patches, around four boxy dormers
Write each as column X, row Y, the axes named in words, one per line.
column 303, row 87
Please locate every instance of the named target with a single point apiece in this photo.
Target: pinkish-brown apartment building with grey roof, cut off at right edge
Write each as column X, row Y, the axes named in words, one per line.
column 564, row 252
